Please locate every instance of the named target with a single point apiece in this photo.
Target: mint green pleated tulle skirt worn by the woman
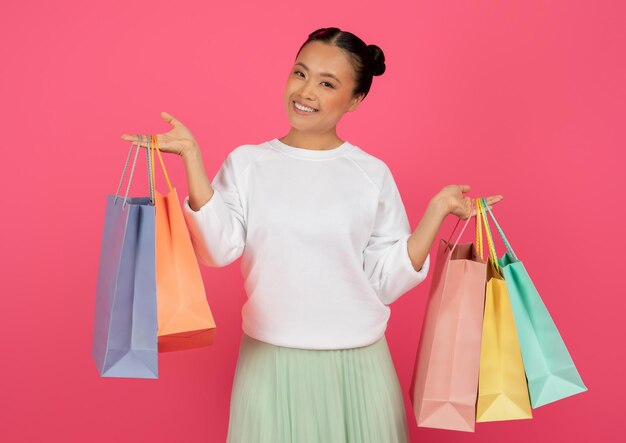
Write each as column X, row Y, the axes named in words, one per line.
column 290, row 395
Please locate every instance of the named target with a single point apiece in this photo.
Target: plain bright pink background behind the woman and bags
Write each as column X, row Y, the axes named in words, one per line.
column 524, row 99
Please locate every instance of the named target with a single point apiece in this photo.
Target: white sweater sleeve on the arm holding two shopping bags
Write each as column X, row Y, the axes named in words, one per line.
column 218, row 228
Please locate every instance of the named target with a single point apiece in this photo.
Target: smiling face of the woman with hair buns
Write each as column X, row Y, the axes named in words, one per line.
column 321, row 78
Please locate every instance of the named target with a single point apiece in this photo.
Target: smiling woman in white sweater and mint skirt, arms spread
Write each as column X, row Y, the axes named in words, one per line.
column 326, row 247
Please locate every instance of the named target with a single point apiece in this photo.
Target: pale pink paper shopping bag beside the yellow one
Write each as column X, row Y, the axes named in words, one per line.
column 444, row 384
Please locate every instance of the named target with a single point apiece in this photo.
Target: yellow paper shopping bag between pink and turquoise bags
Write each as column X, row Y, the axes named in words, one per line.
column 502, row 387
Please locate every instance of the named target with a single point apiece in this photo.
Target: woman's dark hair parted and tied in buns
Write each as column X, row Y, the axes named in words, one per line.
column 367, row 60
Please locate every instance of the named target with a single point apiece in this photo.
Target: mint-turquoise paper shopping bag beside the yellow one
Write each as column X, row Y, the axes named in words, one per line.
column 549, row 368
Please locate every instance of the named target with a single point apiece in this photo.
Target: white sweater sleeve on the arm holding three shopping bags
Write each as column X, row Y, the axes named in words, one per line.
column 387, row 263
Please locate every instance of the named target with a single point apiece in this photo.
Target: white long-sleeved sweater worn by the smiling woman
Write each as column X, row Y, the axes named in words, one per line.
column 323, row 240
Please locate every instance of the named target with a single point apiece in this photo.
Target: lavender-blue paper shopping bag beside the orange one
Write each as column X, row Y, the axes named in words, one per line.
column 125, row 321
